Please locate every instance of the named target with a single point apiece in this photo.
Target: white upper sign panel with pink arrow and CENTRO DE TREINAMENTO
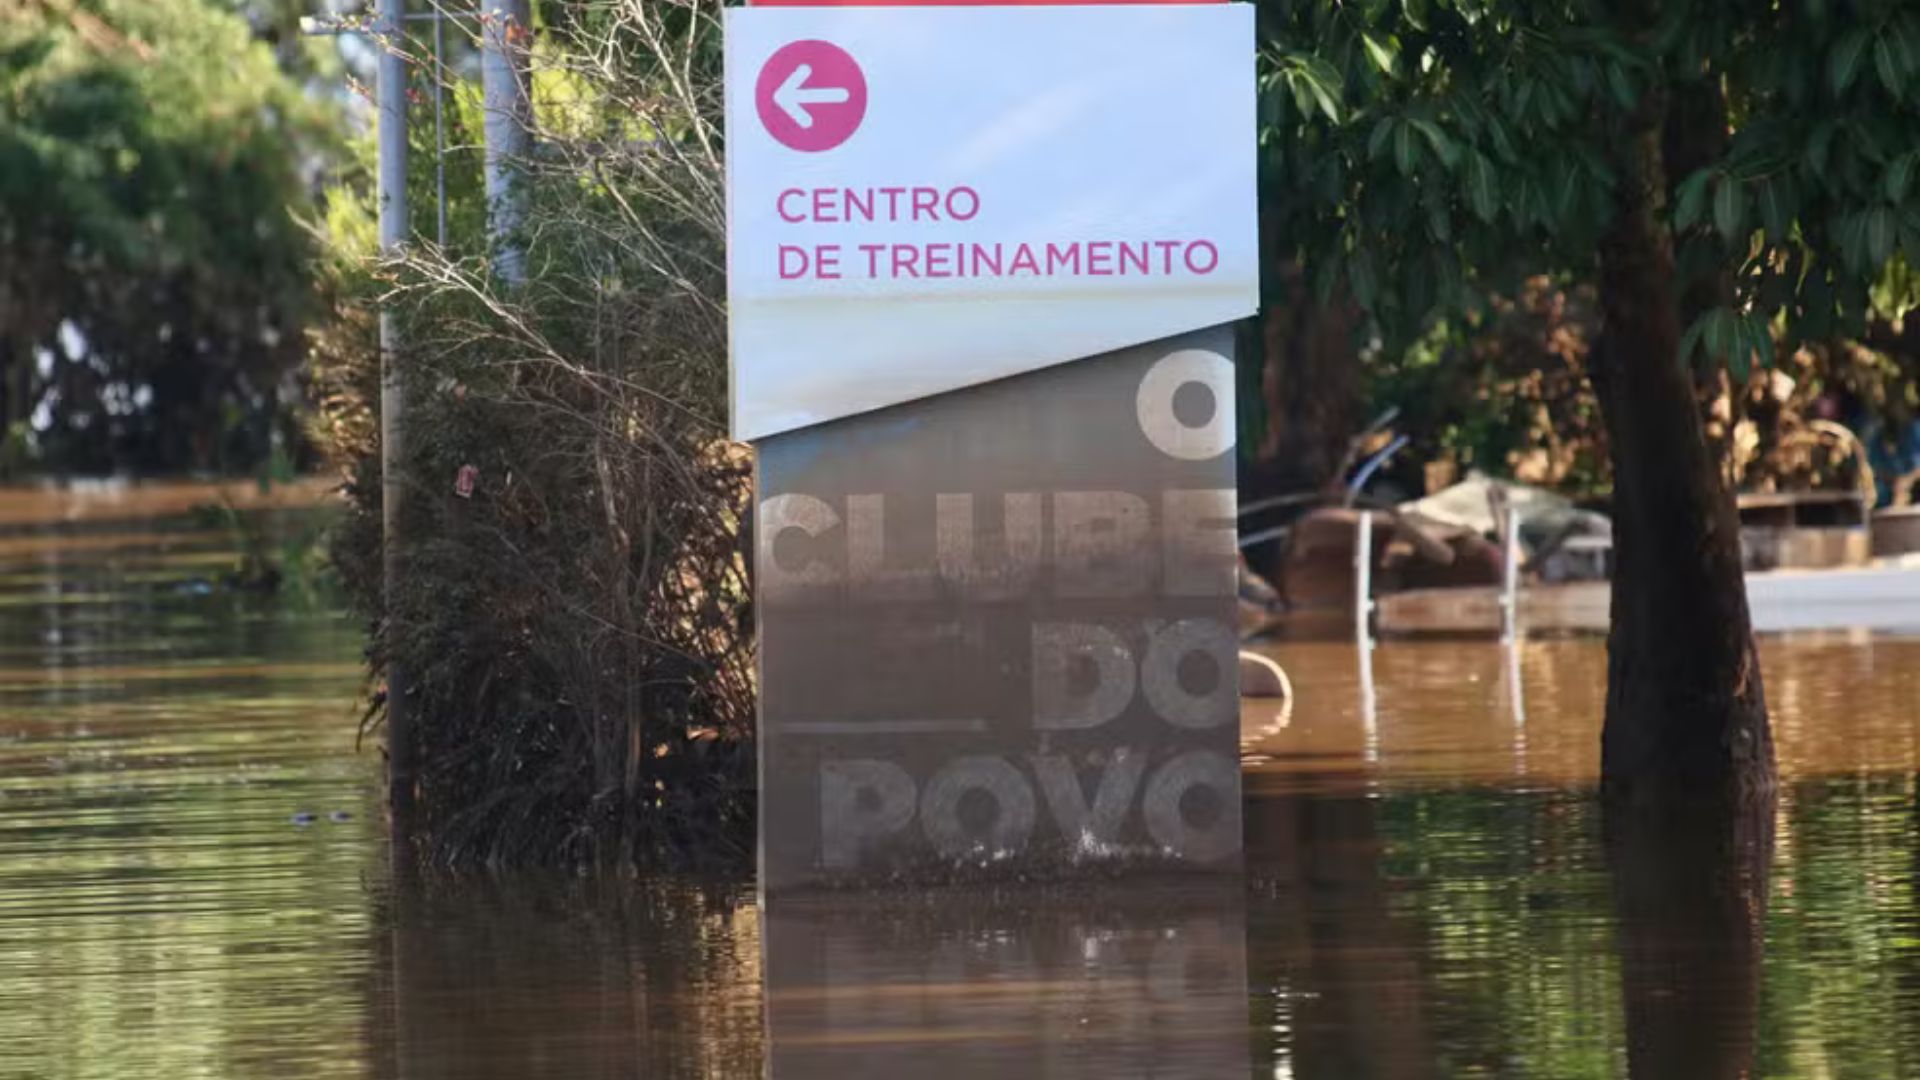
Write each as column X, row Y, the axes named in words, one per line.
column 926, row 199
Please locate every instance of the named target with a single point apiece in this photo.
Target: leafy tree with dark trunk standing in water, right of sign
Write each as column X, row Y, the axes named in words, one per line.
column 1725, row 174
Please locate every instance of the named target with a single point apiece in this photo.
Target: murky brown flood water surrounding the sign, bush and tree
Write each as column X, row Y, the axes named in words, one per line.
column 195, row 883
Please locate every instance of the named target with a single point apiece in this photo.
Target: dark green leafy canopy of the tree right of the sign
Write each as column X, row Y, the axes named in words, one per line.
column 1429, row 153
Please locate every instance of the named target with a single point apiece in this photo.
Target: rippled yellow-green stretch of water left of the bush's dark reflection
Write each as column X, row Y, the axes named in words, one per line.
column 160, row 914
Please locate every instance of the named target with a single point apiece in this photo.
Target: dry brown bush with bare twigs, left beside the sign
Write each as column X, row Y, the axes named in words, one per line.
column 573, row 610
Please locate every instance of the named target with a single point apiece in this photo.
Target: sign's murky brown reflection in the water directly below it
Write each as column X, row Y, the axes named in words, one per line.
column 1115, row 981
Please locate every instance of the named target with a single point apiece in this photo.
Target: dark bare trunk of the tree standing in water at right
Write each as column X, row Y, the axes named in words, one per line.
column 1685, row 702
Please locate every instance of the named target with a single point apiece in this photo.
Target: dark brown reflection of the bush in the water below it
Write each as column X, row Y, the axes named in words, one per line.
column 565, row 979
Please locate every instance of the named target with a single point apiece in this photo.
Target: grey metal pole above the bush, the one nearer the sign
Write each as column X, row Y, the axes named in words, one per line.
column 506, row 101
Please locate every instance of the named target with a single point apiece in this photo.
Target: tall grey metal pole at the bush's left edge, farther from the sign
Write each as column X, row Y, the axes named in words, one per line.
column 395, row 226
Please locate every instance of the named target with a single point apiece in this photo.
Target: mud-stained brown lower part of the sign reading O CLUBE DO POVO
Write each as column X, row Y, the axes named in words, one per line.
column 997, row 629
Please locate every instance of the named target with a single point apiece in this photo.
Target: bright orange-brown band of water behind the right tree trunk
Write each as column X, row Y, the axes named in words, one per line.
column 1449, row 712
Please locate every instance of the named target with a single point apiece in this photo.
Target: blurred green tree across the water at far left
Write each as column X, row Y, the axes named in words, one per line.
column 155, row 280
